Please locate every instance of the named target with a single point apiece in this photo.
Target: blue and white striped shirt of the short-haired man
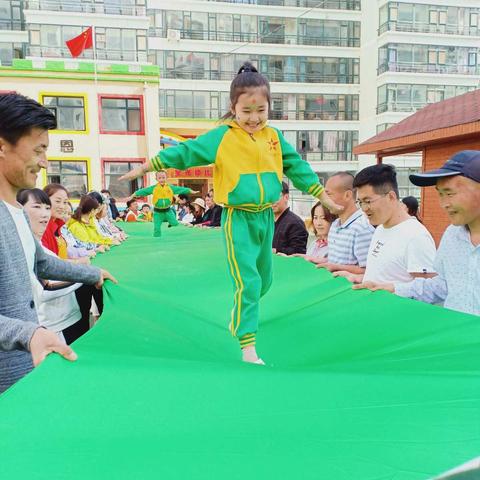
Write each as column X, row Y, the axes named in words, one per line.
column 348, row 242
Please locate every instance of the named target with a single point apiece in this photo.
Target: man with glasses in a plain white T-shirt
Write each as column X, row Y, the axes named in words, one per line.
column 402, row 248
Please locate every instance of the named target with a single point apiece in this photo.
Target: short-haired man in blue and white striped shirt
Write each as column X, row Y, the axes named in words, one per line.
column 350, row 235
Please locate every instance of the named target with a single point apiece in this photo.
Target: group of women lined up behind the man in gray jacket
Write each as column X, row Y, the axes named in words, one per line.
column 75, row 235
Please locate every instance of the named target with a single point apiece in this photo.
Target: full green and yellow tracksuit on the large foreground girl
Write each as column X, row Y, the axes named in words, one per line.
column 248, row 171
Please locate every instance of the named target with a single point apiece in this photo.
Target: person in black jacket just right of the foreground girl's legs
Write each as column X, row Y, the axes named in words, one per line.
column 290, row 235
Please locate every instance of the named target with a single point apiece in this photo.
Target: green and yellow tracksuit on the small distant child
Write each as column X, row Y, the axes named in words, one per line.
column 162, row 204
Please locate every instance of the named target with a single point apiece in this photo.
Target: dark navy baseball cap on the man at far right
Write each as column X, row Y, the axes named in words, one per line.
column 465, row 163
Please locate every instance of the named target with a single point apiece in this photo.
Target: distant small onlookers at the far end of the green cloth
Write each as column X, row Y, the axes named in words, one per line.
column 201, row 212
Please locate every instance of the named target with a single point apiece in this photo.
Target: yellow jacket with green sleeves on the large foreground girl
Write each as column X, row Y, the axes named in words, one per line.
column 248, row 168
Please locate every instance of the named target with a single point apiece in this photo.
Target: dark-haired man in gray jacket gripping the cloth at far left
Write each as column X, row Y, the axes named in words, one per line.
column 24, row 126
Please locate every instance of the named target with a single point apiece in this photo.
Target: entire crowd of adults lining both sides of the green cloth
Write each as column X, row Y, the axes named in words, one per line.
column 50, row 294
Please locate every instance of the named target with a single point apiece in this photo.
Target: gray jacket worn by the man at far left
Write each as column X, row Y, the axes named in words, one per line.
column 18, row 315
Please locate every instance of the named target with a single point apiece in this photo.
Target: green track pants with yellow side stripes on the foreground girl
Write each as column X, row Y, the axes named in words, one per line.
column 248, row 240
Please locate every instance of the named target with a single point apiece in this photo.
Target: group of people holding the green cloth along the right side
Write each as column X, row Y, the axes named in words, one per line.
column 379, row 242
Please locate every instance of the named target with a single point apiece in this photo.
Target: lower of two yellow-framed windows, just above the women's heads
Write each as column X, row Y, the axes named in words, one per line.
column 72, row 174
